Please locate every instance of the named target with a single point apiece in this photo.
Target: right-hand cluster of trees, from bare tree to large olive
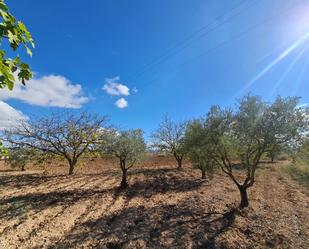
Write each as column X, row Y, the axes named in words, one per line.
column 230, row 139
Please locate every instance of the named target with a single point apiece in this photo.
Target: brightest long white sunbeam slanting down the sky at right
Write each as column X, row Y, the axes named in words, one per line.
column 290, row 49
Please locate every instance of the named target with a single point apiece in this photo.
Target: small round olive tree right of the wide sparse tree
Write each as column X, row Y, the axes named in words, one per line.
column 127, row 146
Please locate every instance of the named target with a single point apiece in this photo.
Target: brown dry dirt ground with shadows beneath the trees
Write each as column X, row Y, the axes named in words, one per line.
column 163, row 208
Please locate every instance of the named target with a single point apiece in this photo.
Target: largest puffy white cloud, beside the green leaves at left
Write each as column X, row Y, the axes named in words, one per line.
column 51, row 90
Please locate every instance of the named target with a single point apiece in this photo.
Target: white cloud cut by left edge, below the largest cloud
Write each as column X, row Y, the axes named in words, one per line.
column 9, row 117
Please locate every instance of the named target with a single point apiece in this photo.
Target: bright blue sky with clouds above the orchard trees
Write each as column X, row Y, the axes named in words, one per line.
column 177, row 56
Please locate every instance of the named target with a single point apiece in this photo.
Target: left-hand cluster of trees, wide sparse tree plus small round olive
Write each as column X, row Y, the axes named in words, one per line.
column 70, row 136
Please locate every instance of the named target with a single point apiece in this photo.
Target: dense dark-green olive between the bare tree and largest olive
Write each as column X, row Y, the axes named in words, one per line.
column 199, row 148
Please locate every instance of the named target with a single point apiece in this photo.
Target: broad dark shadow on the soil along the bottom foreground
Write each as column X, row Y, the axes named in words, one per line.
column 166, row 226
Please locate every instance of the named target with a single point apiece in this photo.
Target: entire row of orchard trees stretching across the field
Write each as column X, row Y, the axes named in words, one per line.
column 225, row 139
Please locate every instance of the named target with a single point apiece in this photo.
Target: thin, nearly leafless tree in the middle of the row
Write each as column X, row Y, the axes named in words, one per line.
column 169, row 137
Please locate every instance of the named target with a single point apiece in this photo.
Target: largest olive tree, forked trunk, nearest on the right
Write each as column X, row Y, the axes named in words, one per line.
column 250, row 132
